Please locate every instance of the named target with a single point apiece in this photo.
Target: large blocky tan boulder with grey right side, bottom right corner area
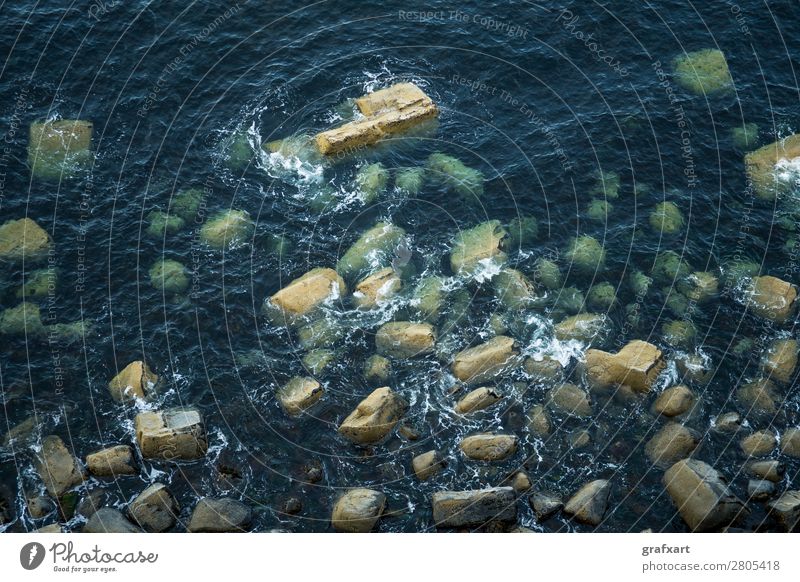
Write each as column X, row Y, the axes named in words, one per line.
column 701, row 496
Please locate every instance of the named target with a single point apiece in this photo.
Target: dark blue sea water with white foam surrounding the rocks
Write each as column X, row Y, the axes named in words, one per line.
column 524, row 97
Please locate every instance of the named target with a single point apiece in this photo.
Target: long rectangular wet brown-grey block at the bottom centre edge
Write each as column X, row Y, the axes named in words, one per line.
column 453, row 509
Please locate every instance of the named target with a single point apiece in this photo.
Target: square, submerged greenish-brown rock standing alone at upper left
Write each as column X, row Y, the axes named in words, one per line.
column 59, row 149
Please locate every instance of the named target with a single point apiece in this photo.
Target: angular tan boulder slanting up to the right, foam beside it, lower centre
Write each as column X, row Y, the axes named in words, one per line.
column 374, row 417
